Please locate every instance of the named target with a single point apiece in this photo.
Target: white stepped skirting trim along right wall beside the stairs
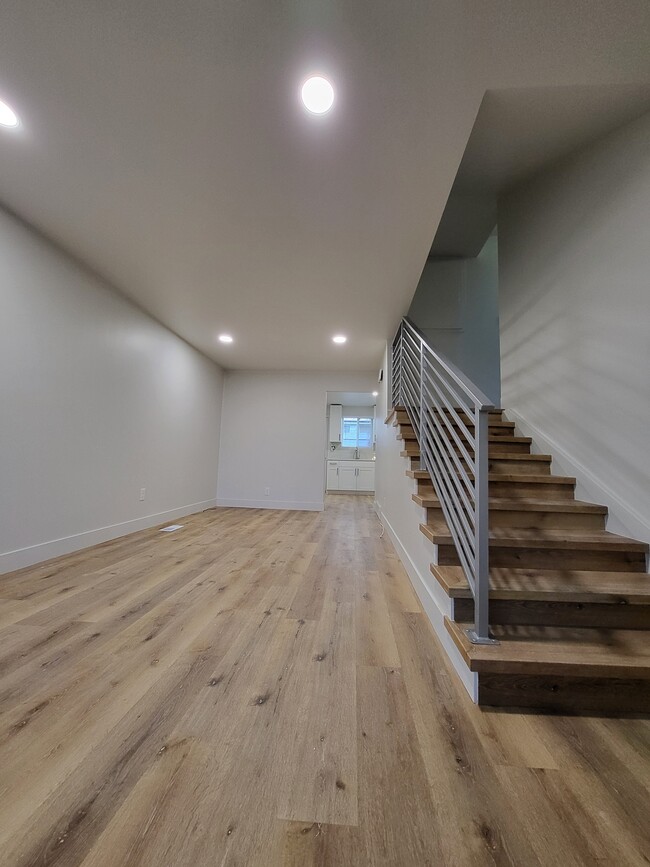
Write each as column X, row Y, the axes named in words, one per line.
column 622, row 519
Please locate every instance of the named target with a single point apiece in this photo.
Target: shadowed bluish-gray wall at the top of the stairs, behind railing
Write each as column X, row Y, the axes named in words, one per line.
column 456, row 305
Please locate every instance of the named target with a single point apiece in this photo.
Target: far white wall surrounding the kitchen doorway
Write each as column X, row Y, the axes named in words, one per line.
column 273, row 435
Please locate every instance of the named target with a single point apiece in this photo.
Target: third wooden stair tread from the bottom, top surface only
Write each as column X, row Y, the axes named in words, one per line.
column 515, row 537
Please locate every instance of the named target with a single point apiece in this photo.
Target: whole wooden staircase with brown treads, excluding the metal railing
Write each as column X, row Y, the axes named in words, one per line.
column 569, row 602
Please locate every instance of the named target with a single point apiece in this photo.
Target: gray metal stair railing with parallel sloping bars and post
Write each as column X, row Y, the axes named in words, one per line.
column 450, row 416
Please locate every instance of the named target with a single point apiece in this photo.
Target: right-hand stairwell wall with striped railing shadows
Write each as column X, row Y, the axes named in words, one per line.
column 574, row 266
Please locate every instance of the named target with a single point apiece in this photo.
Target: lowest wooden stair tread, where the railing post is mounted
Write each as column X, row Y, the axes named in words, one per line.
column 558, row 650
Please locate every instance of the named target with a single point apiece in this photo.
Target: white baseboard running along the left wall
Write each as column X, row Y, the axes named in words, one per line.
column 22, row 557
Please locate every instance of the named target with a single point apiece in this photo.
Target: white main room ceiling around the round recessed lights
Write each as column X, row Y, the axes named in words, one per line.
column 163, row 145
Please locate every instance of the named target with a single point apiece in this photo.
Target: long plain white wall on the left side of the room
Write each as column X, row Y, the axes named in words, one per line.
column 97, row 401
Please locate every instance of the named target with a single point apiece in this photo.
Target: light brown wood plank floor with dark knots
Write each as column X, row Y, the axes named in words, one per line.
column 263, row 688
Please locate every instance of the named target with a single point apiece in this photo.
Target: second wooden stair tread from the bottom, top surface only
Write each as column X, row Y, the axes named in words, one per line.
column 561, row 585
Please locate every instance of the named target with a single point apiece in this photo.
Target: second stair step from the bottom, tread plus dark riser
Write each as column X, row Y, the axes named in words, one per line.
column 556, row 597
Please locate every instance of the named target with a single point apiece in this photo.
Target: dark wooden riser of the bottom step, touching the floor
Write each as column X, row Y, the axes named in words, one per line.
column 606, row 695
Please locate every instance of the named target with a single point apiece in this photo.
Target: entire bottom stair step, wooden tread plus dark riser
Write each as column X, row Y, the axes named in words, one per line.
column 559, row 668
